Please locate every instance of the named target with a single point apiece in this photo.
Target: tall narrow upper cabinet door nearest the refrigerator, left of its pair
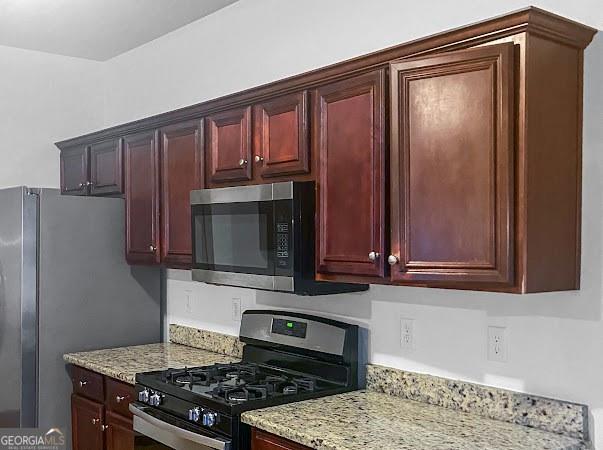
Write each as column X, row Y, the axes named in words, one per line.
column 142, row 198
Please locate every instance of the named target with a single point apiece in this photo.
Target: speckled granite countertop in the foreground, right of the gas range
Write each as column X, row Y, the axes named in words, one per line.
column 371, row 420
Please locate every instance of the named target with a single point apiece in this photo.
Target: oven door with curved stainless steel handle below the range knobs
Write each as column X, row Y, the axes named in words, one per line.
column 154, row 431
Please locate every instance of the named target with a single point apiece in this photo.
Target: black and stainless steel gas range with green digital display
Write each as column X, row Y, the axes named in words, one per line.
column 288, row 357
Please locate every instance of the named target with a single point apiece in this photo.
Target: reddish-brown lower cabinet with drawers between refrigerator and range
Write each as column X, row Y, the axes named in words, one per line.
column 100, row 417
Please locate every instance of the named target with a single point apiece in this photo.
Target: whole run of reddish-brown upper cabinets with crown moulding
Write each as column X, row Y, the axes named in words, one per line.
column 480, row 130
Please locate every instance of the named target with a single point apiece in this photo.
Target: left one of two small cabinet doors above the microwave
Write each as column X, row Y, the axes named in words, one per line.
column 229, row 145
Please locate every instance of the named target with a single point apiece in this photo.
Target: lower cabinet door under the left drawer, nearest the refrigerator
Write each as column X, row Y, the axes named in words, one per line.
column 86, row 423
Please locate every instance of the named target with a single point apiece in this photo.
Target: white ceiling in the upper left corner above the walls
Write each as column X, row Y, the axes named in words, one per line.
column 95, row 29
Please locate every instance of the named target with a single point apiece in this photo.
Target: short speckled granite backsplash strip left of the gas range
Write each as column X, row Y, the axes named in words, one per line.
column 207, row 340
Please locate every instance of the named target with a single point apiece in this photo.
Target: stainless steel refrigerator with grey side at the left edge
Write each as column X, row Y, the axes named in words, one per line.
column 64, row 287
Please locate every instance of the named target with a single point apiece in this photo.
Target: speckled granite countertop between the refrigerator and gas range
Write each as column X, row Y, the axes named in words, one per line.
column 123, row 363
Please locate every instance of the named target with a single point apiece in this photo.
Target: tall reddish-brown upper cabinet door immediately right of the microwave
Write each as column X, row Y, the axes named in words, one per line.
column 347, row 139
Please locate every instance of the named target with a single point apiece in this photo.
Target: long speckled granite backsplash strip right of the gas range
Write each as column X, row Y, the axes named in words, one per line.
column 546, row 414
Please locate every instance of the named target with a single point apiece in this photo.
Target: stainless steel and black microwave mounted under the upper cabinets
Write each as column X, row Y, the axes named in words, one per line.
column 259, row 236
